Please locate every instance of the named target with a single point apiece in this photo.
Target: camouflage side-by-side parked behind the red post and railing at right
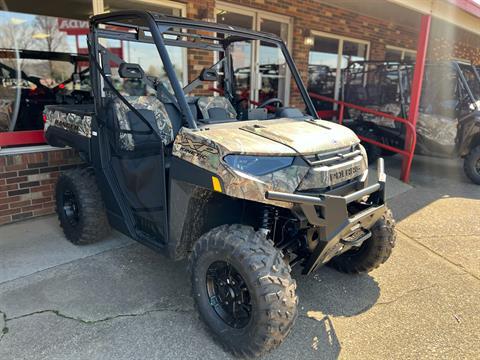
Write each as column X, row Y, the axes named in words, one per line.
column 448, row 123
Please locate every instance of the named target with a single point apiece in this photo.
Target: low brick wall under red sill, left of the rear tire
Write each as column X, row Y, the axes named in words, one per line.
column 27, row 182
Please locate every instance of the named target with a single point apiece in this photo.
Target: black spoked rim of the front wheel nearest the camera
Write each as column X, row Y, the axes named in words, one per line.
column 228, row 294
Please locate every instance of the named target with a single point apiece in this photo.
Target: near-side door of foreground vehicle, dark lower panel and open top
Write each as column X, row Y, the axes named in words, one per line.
column 138, row 132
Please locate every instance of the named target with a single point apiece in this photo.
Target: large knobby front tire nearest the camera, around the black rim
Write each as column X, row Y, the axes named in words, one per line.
column 266, row 276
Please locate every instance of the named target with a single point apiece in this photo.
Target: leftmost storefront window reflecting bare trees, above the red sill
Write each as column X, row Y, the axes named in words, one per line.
column 38, row 67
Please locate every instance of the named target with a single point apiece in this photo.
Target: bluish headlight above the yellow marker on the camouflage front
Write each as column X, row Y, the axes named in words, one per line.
column 258, row 165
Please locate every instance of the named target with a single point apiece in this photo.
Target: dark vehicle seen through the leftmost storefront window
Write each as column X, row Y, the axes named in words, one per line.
column 31, row 79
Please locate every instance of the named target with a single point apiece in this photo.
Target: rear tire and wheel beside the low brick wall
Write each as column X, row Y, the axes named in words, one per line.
column 80, row 207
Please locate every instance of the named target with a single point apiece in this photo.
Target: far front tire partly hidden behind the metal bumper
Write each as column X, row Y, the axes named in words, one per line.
column 373, row 252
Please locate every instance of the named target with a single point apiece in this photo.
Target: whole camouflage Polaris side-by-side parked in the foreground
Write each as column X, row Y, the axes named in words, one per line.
column 245, row 192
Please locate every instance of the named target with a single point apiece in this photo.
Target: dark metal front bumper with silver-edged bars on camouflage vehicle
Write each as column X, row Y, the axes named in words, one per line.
column 338, row 230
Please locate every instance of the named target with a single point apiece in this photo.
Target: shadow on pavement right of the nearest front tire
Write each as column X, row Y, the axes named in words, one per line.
column 323, row 296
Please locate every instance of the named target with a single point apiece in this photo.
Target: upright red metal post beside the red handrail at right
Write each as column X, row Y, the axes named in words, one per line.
column 416, row 93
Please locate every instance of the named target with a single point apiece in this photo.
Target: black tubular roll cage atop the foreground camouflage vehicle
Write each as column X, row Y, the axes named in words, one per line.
column 157, row 26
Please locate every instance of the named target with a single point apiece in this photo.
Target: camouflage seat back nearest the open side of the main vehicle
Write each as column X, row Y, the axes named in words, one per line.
column 145, row 104
